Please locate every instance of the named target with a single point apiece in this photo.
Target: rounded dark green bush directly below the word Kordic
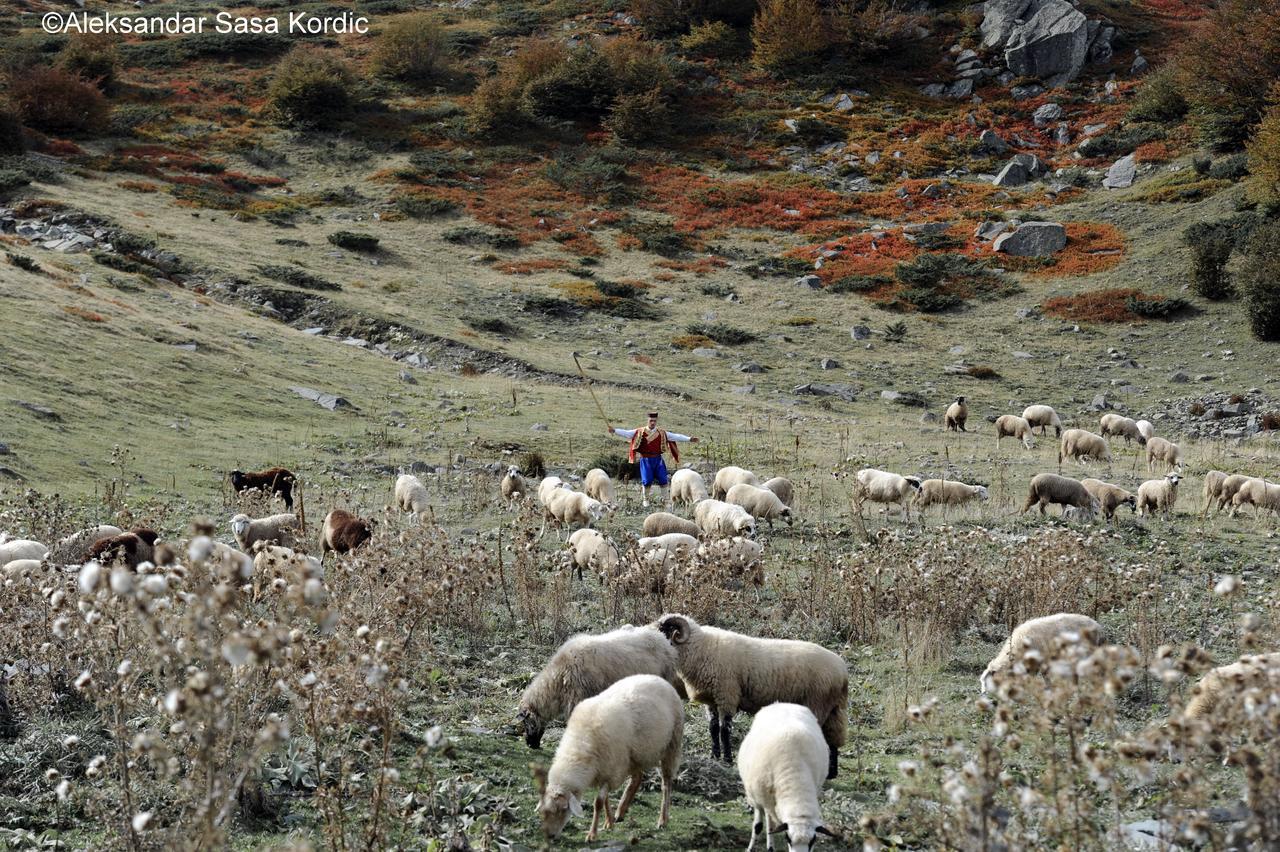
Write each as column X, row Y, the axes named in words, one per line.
column 312, row 89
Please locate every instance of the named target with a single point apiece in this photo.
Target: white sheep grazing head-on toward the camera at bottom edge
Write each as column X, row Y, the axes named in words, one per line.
column 781, row 766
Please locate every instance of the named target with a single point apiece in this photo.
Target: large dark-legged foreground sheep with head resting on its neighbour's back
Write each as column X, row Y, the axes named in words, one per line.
column 732, row 672
